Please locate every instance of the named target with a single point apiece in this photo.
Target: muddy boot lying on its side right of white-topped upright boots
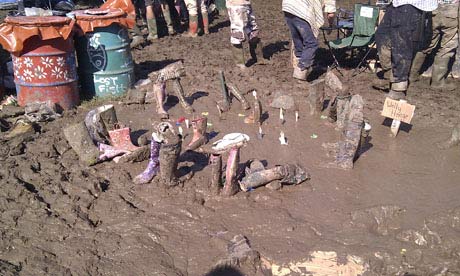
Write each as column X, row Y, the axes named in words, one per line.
column 287, row 174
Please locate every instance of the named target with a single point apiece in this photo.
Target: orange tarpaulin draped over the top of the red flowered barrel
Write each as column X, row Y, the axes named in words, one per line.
column 16, row 30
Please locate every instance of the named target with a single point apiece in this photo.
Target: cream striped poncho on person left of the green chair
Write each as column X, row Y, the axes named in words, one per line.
column 310, row 11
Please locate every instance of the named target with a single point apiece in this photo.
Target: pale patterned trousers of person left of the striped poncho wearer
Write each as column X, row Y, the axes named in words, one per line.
column 242, row 23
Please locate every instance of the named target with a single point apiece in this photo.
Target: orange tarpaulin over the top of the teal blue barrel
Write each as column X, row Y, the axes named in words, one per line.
column 87, row 20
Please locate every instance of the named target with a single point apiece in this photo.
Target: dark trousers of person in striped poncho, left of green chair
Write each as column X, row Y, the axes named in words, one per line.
column 305, row 43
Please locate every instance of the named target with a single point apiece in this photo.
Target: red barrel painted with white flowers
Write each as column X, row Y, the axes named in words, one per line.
column 45, row 70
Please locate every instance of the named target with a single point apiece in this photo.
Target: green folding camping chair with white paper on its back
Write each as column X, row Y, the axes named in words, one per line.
column 362, row 37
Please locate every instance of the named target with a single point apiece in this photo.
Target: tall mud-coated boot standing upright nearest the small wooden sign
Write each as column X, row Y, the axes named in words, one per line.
column 351, row 136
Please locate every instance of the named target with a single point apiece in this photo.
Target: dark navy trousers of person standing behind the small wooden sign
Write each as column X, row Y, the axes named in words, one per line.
column 401, row 31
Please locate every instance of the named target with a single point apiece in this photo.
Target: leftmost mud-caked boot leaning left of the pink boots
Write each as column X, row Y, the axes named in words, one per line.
column 78, row 138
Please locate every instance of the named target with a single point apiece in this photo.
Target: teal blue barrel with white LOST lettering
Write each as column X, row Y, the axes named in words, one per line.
column 105, row 64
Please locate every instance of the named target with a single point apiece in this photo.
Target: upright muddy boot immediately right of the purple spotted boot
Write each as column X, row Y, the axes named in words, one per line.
column 169, row 155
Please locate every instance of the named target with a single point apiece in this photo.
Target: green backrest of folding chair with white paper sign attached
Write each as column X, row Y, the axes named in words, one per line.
column 365, row 20
